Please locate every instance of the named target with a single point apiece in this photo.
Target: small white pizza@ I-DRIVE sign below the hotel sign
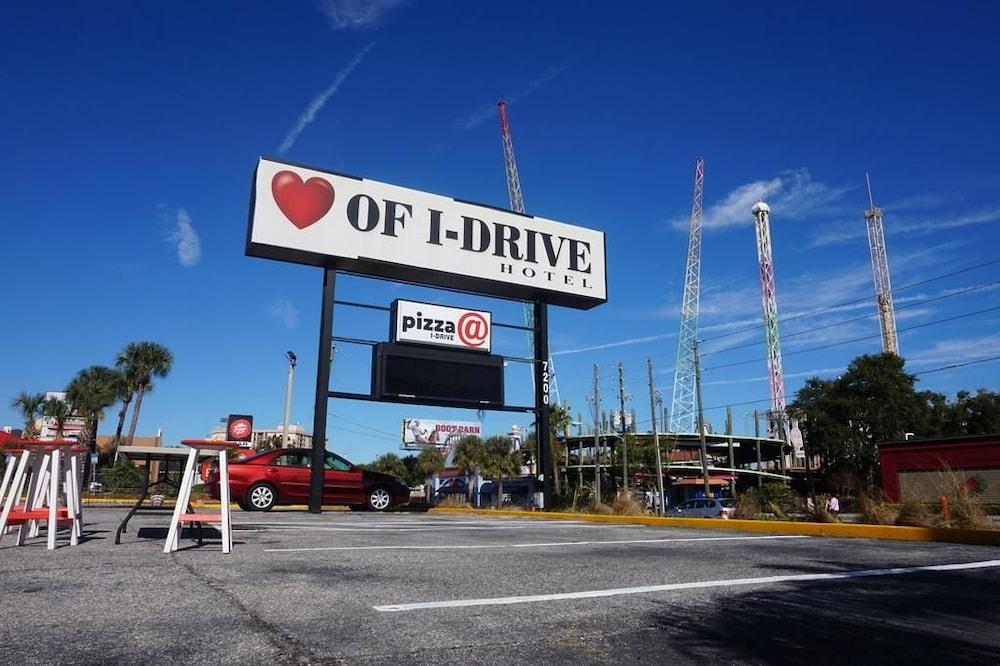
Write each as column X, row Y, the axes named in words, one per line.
column 428, row 324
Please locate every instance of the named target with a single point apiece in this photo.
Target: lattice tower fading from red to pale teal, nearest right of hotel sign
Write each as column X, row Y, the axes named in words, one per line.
column 682, row 413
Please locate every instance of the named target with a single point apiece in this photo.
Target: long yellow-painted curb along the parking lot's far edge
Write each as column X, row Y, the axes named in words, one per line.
column 840, row 530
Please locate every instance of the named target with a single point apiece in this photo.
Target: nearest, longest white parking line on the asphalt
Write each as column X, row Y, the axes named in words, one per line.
column 765, row 580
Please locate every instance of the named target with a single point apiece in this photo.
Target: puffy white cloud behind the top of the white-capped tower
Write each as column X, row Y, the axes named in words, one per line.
column 791, row 194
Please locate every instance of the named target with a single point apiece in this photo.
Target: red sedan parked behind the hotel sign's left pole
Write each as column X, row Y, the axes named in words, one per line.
column 281, row 476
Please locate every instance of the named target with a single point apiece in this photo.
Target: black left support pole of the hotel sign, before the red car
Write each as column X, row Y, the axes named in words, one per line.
column 323, row 362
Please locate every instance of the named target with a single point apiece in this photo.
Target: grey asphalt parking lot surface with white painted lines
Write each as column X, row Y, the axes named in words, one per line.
column 429, row 588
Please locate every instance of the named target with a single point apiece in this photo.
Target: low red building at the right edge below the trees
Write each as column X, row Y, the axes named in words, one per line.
column 923, row 467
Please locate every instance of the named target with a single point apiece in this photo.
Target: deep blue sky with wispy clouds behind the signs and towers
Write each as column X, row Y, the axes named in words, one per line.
column 130, row 132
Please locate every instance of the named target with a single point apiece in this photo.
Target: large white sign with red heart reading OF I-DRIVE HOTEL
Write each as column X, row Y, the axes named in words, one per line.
column 321, row 218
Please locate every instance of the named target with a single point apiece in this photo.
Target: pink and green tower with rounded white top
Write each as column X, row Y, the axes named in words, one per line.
column 769, row 302
